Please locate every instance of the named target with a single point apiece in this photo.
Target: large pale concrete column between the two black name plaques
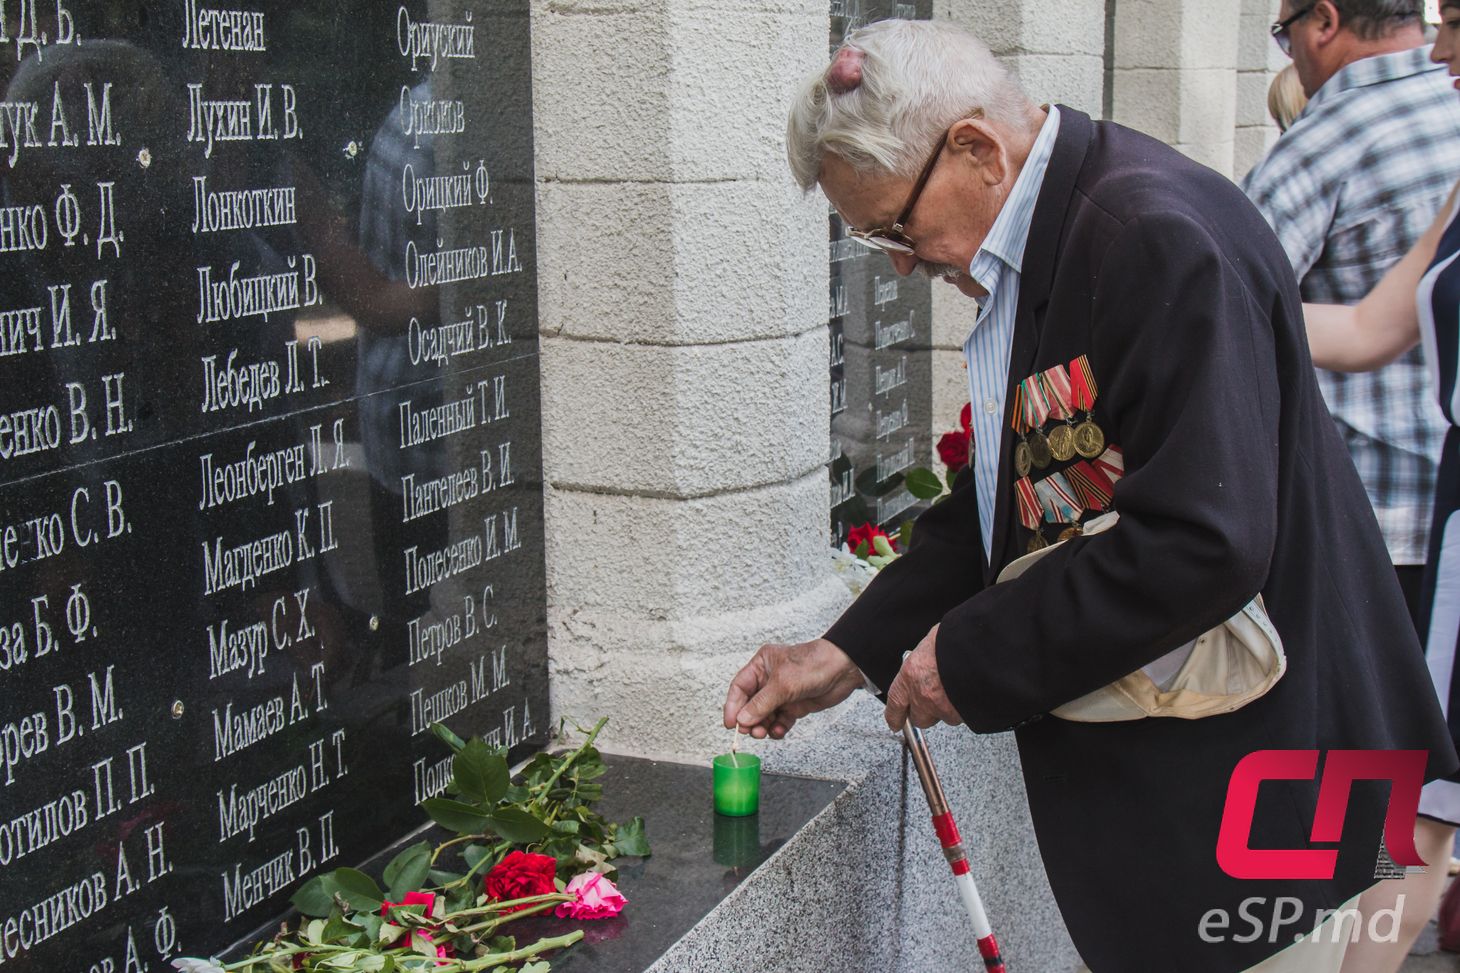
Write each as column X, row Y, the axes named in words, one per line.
column 684, row 346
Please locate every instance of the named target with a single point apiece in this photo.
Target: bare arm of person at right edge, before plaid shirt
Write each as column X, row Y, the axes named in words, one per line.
column 1385, row 325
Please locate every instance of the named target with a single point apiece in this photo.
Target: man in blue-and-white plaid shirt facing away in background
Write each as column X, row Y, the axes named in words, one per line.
column 1350, row 189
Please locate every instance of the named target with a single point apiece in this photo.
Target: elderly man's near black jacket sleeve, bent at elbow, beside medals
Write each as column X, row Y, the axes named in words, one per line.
column 1188, row 373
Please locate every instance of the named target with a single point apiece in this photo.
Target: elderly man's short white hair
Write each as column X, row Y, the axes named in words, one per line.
column 918, row 80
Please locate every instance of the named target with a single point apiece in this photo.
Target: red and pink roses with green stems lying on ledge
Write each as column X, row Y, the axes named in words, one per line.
column 520, row 848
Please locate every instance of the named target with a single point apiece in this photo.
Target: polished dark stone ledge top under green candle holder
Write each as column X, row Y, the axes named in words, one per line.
column 700, row 858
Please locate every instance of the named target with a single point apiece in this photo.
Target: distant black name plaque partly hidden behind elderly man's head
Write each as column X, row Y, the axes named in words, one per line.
column 881, row 354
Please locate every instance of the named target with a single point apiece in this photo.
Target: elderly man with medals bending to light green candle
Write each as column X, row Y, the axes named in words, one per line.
column 1141, row 340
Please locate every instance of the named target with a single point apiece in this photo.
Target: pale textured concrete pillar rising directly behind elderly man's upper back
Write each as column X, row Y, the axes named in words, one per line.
column 1176, row 74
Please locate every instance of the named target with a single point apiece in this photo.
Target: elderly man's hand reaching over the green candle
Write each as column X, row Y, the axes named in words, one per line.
column 786, row 683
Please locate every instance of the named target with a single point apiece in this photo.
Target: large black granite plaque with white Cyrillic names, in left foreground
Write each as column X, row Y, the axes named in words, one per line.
column 271, row 474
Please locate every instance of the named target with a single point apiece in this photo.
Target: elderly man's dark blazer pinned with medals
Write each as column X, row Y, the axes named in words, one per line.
column 1236, row 483
